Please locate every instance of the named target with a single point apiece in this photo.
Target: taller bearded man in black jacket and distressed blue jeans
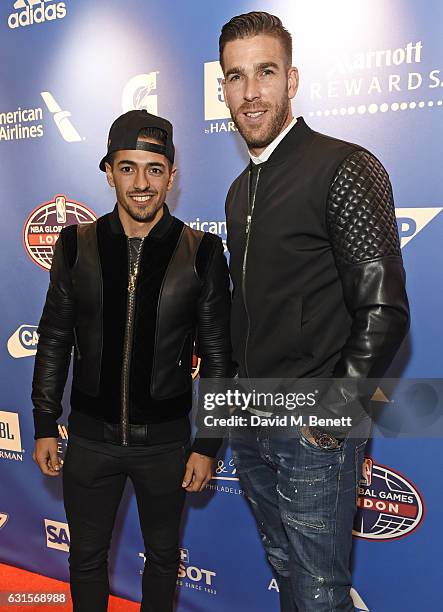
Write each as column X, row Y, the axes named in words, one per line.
column 319, row 292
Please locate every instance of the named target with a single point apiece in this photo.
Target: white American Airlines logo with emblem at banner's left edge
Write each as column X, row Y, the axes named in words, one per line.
column 27, row 123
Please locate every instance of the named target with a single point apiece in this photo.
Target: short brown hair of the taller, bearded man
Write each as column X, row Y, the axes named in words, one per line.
column 252, row 24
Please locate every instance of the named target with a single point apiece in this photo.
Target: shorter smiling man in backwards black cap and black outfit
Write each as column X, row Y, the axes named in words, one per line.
column 131, row 292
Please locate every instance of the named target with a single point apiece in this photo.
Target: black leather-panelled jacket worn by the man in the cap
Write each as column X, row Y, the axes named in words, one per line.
column 133, row 341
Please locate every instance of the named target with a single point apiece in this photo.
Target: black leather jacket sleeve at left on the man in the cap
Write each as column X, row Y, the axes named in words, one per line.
column 54, row 348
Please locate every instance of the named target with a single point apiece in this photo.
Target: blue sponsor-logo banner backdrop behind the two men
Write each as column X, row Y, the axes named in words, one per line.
column 371, row 72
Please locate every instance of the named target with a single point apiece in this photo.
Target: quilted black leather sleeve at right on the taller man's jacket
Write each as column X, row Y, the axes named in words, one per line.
column 363, row 232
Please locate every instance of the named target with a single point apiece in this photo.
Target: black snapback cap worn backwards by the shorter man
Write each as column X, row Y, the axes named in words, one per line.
column 125, row 130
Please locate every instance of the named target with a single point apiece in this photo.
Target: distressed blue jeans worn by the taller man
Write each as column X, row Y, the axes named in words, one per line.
column 304, row 501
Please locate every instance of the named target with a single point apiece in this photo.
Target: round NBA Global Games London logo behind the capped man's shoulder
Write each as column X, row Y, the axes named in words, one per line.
column 44, row 224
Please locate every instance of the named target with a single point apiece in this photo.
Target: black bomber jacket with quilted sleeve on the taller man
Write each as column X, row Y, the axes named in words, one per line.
column 318, row 281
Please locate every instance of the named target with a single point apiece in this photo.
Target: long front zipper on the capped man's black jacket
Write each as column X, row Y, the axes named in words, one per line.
column 133, row 270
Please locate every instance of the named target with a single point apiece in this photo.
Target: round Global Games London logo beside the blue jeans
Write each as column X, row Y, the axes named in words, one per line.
column 389, row 505
